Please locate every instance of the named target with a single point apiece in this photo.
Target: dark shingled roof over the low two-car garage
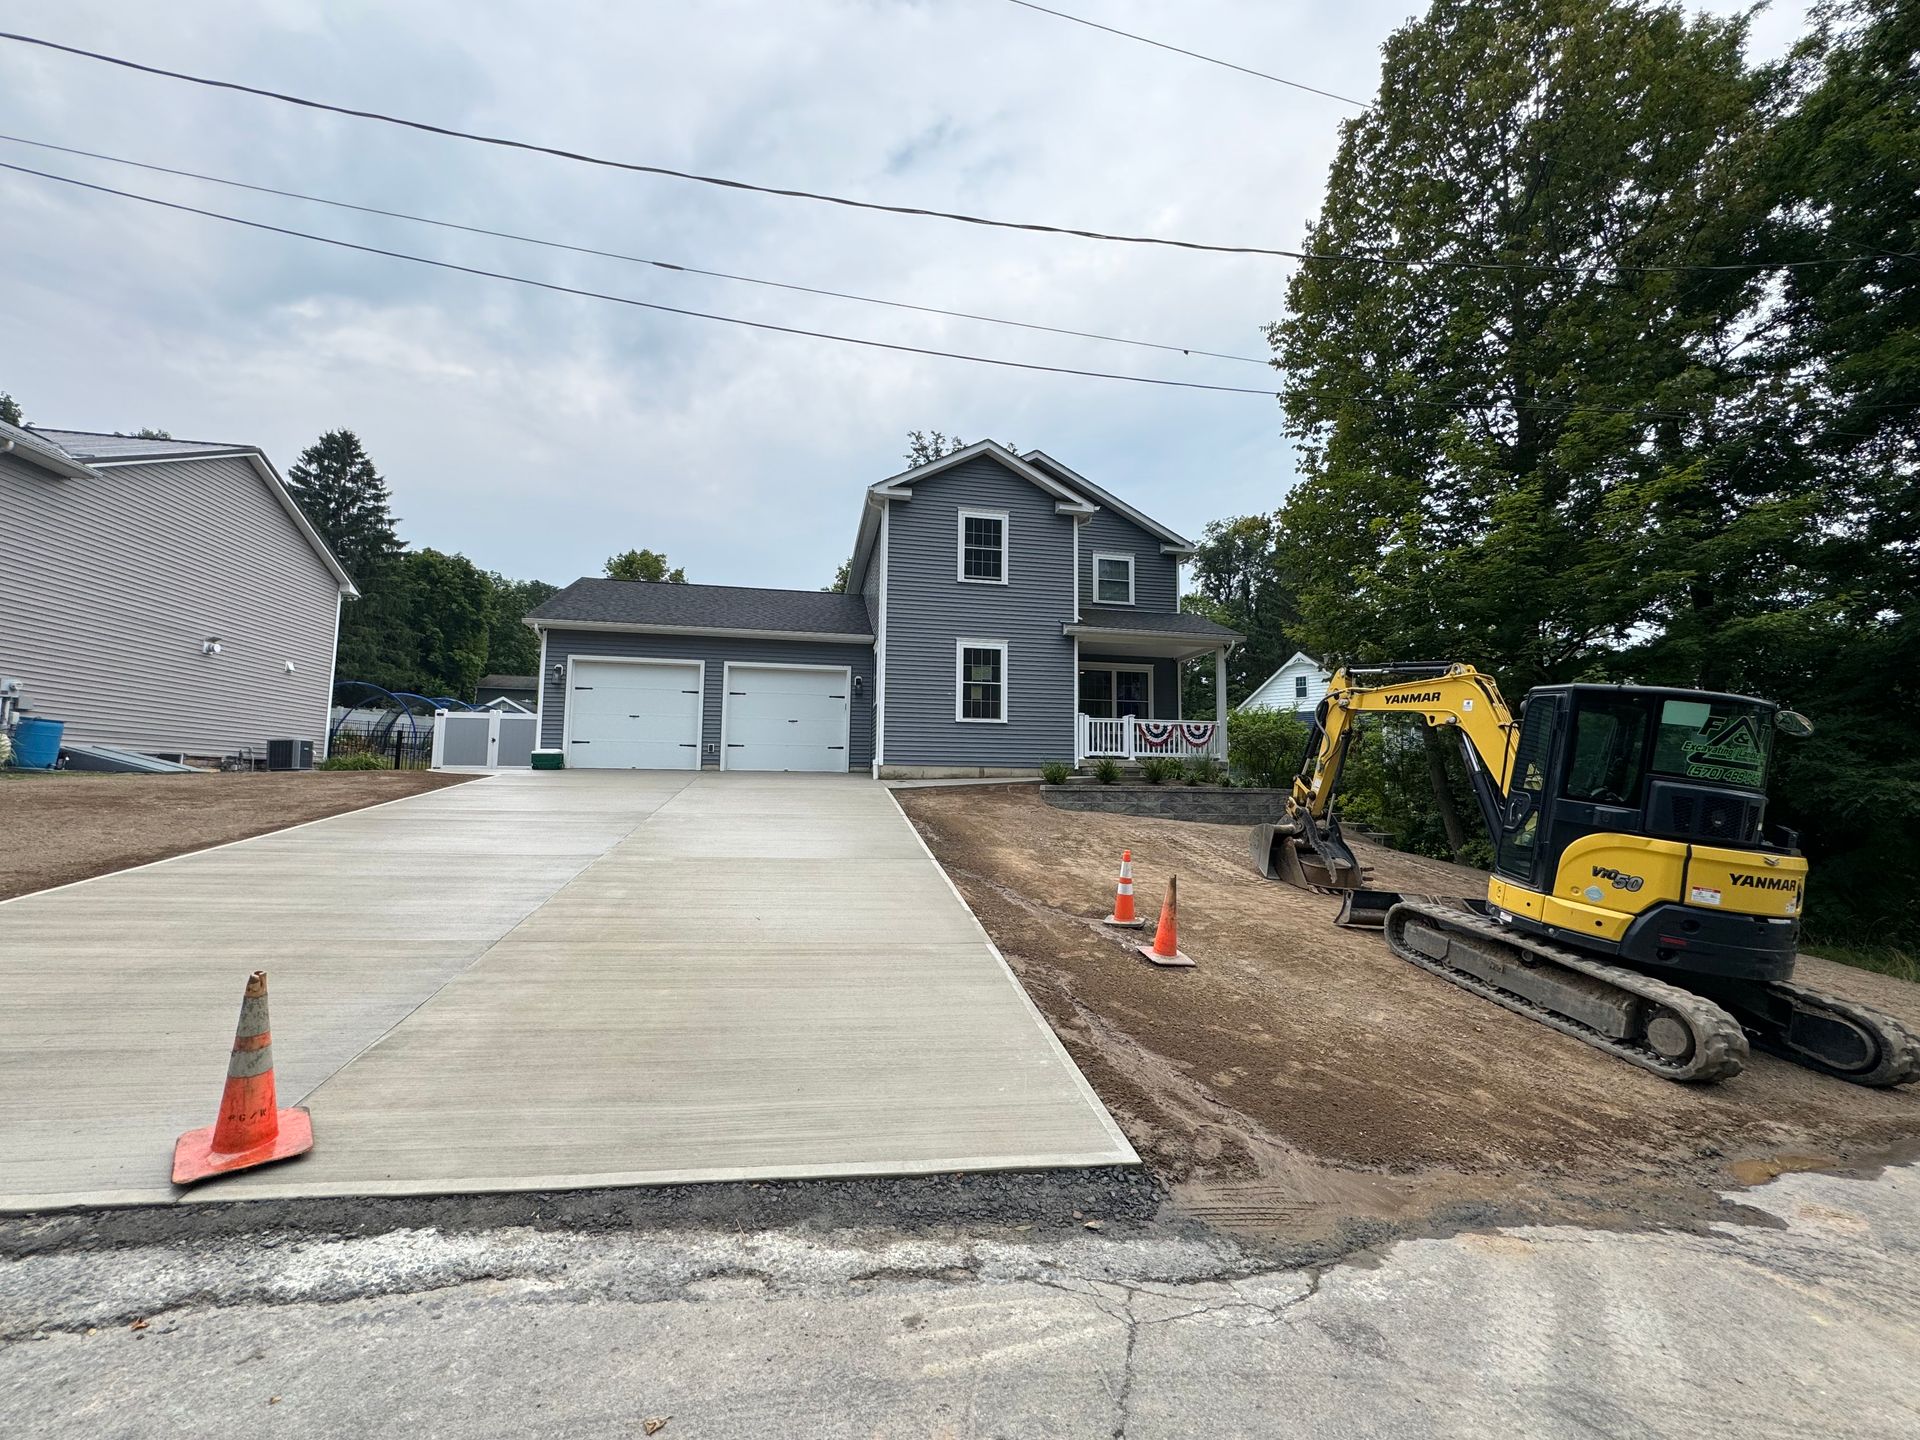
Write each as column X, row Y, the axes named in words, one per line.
column 669, row 608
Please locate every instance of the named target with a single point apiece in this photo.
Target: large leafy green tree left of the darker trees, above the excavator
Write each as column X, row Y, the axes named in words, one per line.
column 1499, row 398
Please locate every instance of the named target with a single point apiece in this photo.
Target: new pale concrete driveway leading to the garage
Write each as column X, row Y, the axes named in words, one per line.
column 539, row 982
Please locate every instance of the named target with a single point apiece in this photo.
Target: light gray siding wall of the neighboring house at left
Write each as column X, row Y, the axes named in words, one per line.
column 112, row 585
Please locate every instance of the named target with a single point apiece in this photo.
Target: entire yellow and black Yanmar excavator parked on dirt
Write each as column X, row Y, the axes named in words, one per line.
column 1639, row 900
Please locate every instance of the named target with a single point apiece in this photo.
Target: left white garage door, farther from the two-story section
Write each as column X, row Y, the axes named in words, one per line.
column 635, row 715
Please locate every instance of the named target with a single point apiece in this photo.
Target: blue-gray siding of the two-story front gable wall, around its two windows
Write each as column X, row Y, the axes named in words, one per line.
column 930, row 610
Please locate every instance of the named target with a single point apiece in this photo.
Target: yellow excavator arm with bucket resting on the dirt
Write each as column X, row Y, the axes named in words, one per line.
column 1305, row 848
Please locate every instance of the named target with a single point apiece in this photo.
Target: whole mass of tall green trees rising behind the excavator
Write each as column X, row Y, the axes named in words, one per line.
column 1614, row 375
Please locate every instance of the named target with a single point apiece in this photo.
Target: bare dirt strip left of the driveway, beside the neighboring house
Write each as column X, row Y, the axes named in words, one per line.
column 66, row 827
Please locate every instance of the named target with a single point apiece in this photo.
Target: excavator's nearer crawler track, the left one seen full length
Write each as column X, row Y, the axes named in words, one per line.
column 1643, row 1020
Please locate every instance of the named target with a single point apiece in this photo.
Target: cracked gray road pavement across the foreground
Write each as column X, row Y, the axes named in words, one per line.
column 1800, row 1320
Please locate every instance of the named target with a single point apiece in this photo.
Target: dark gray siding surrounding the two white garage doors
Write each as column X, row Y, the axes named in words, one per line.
column 717, row 652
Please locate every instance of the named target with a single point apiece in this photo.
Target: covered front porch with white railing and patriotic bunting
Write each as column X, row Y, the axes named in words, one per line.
column 1128, row 686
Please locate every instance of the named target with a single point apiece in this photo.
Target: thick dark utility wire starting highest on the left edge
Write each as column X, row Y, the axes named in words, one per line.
column 1385, row 262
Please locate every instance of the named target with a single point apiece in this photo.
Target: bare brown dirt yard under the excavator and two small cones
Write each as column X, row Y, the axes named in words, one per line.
column 1305, row 1082
